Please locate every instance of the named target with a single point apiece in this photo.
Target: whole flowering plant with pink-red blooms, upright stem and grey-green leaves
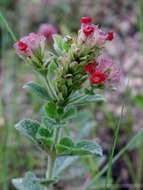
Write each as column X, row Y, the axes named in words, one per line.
column 72, row 73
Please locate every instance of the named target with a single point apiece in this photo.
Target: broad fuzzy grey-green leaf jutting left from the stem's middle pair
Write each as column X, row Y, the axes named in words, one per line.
column 28, row 128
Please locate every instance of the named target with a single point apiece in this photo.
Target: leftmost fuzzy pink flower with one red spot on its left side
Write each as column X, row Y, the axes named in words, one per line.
column 28, row 45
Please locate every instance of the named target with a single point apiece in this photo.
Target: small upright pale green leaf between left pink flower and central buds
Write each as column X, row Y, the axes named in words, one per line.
column 58, row 43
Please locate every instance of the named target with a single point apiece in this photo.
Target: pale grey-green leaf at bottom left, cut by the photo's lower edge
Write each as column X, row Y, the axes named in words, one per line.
column 29, row 182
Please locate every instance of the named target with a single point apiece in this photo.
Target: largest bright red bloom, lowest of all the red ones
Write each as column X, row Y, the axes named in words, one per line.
column 98, row 77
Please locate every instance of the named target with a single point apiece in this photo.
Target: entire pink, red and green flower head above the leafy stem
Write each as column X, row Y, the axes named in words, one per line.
column 77, row 59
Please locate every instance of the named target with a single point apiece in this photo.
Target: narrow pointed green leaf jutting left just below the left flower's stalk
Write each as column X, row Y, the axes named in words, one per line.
column 38, row 90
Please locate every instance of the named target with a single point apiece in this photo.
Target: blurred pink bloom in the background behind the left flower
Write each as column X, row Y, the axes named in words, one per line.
column 47, row 30
